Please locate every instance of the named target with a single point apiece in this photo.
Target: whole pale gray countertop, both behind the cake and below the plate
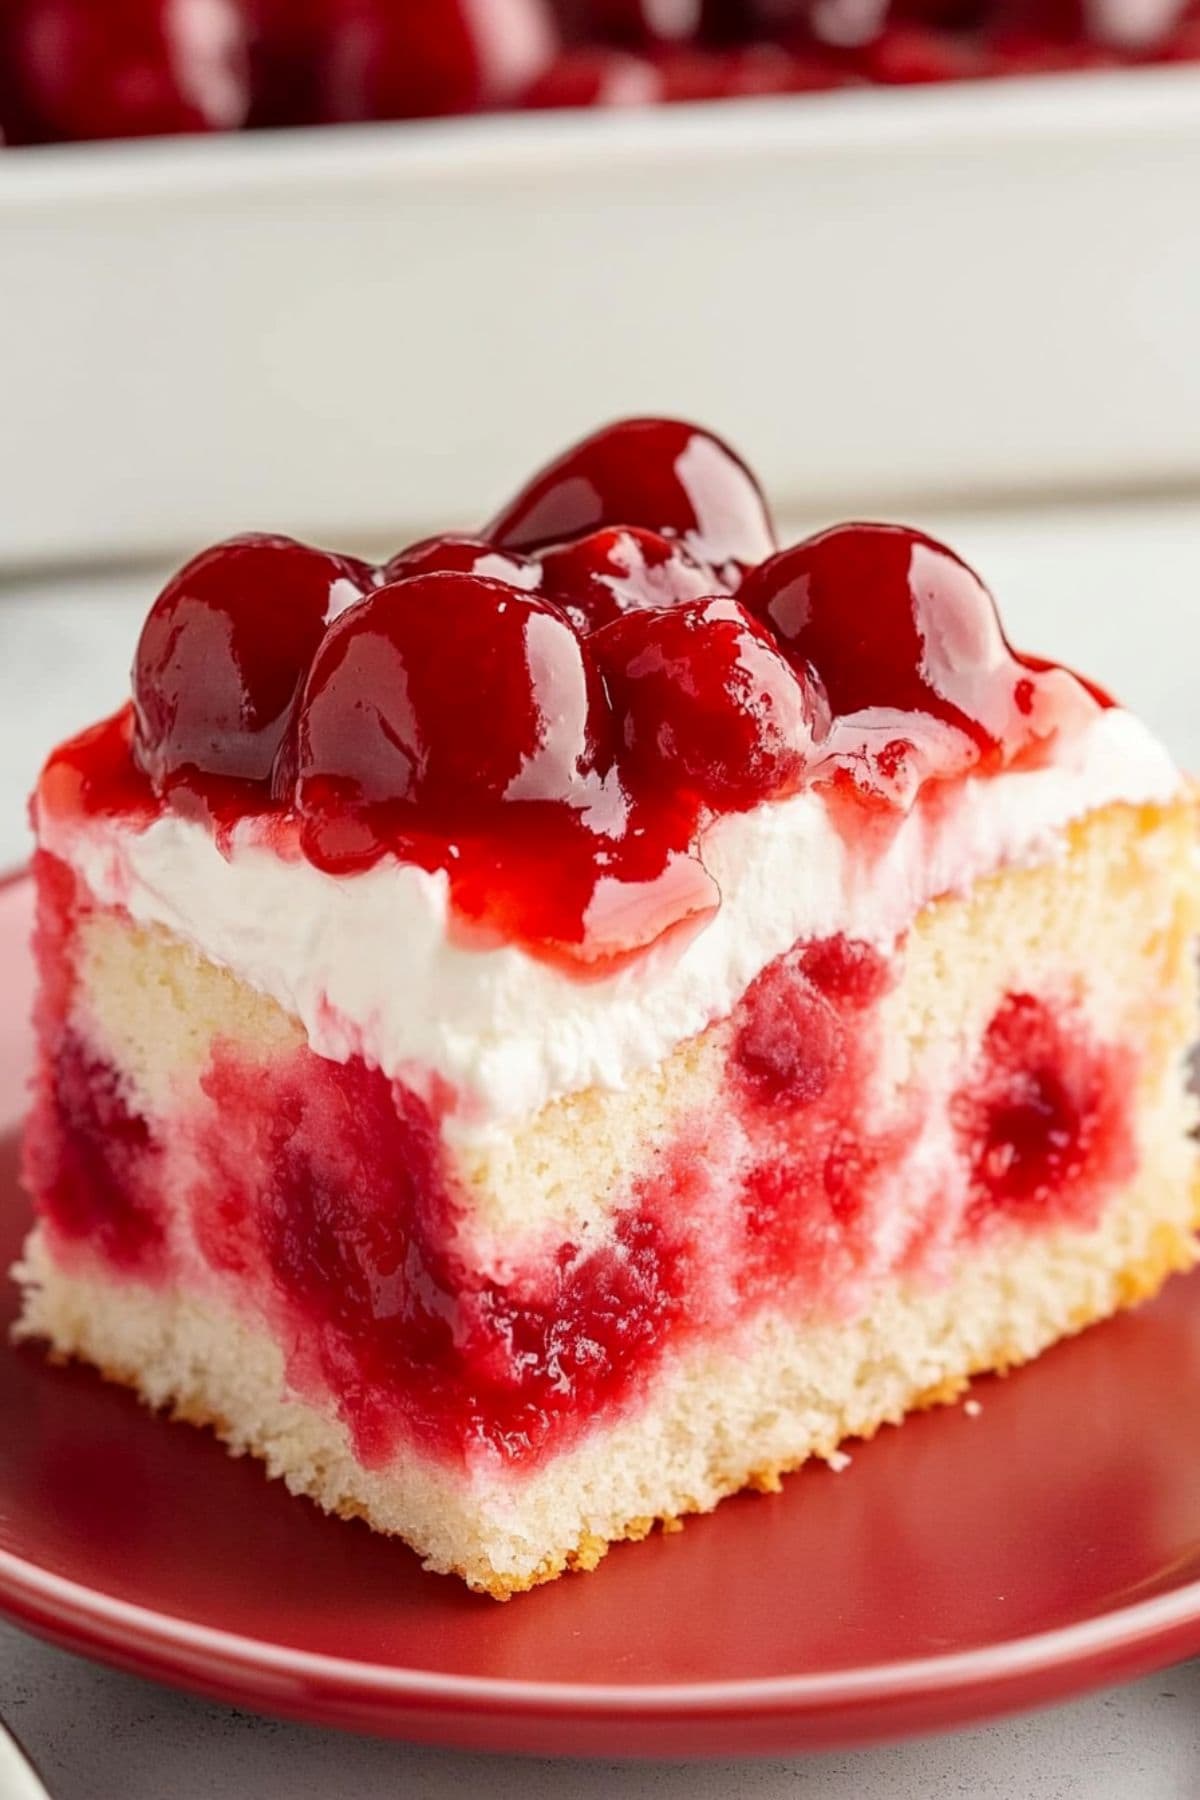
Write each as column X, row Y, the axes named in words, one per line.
column 1115, row 589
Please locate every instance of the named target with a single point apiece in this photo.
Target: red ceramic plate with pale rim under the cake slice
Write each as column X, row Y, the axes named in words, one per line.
column 962, row 1567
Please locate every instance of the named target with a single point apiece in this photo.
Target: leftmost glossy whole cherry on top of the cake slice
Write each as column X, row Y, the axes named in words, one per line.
column 224, row 652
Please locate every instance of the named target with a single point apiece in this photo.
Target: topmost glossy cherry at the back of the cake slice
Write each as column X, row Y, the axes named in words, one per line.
column 663, row 474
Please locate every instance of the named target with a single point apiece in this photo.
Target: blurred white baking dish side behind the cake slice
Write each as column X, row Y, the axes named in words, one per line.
column 881, row 296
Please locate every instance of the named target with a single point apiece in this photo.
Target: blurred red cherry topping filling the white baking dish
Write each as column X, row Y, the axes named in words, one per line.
column 93, row 69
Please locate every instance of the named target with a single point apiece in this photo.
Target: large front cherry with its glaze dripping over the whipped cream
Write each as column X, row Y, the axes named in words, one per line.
column 499, row 795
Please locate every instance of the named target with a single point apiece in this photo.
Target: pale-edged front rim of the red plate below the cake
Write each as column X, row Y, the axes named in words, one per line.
column 188, row 1653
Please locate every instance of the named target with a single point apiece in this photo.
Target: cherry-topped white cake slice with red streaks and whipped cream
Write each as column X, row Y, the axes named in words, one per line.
column 571, row 1025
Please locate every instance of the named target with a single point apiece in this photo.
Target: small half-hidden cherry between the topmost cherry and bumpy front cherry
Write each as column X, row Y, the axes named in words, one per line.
column 620, row 570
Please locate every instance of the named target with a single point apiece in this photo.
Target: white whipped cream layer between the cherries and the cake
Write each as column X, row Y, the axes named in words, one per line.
column 370, row 964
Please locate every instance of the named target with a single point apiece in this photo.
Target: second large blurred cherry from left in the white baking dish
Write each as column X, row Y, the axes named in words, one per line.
column 420, row 58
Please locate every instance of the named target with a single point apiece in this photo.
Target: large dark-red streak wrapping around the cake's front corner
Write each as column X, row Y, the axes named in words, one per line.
column 327, row 1192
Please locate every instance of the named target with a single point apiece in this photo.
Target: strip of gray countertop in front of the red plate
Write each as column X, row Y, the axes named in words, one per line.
column 102, row 1736
